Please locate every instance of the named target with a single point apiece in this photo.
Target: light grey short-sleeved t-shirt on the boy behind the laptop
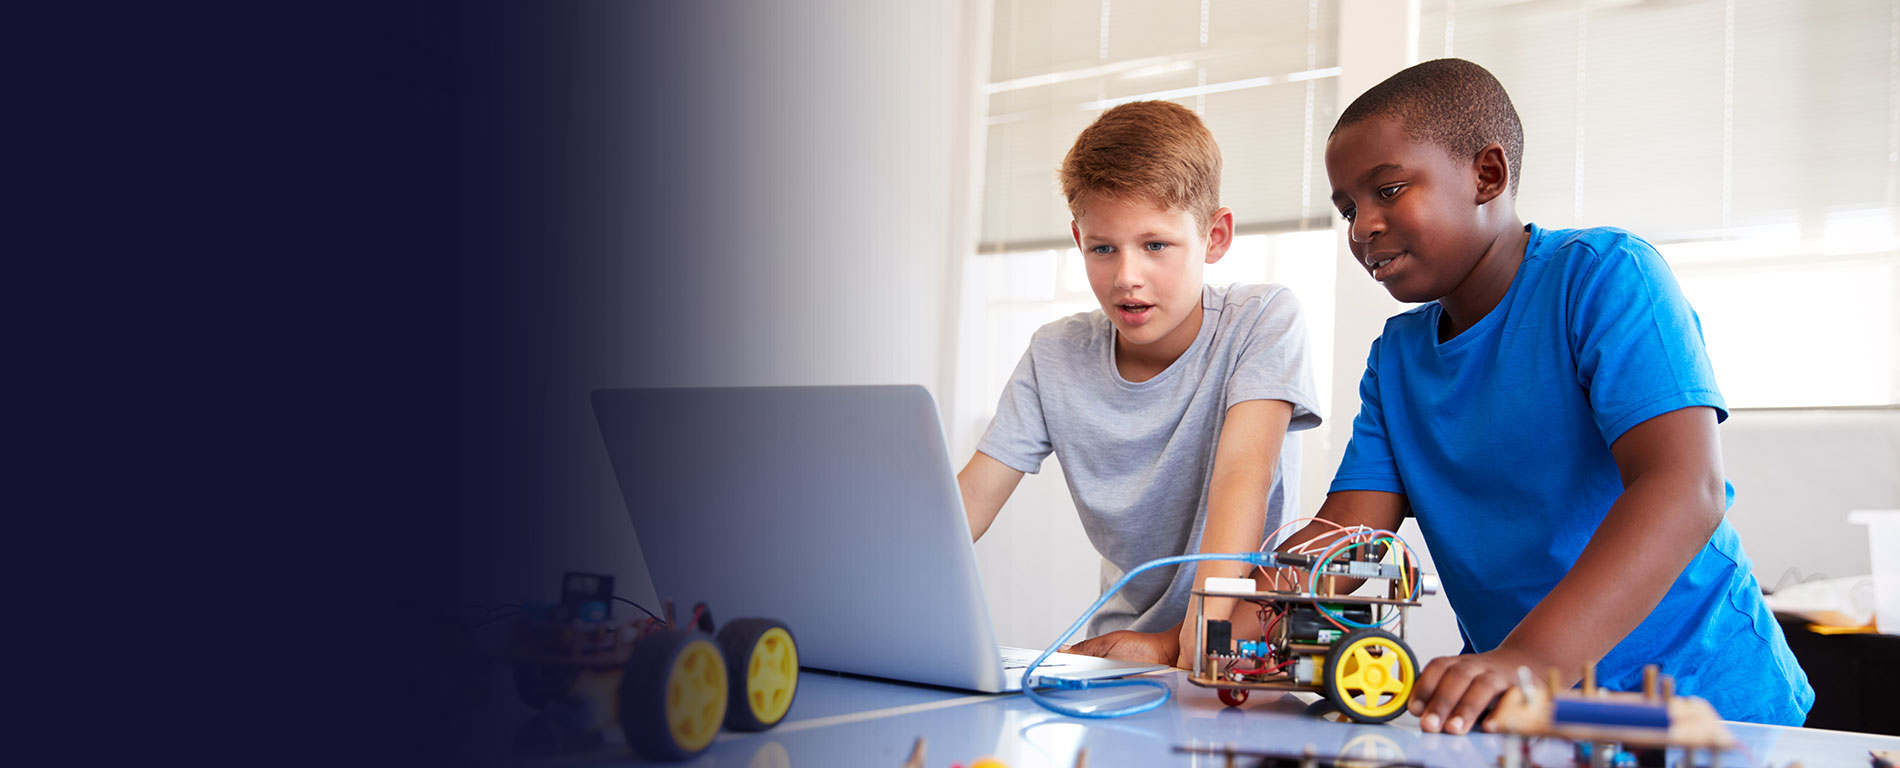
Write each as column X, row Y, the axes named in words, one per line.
column 1139, row 455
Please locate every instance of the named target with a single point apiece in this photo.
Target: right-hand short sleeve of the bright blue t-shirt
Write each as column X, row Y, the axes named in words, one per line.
column 1637, row 341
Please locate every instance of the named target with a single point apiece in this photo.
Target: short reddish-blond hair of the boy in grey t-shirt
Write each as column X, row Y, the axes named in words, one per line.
column 1147, row 149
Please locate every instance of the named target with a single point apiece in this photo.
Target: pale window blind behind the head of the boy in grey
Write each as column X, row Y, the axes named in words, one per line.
column 1259, row 73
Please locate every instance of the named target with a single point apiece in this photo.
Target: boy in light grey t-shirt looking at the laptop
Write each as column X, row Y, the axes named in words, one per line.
column 1171, row 408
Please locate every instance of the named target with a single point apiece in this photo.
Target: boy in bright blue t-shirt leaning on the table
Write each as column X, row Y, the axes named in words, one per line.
column 1549, row 417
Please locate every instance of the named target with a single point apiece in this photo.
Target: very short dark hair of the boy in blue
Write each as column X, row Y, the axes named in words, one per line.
column 1453, row 104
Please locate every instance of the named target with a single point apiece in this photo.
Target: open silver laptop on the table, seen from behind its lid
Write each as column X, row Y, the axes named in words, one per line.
column 831, row 509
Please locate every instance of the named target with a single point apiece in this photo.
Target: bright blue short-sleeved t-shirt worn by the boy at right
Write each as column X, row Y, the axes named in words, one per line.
column 1500, row 442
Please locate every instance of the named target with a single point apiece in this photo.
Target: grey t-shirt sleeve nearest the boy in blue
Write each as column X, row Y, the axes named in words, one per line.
column 1274, row 362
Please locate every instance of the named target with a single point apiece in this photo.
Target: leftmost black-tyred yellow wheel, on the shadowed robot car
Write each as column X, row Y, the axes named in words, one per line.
column 674, row 695
